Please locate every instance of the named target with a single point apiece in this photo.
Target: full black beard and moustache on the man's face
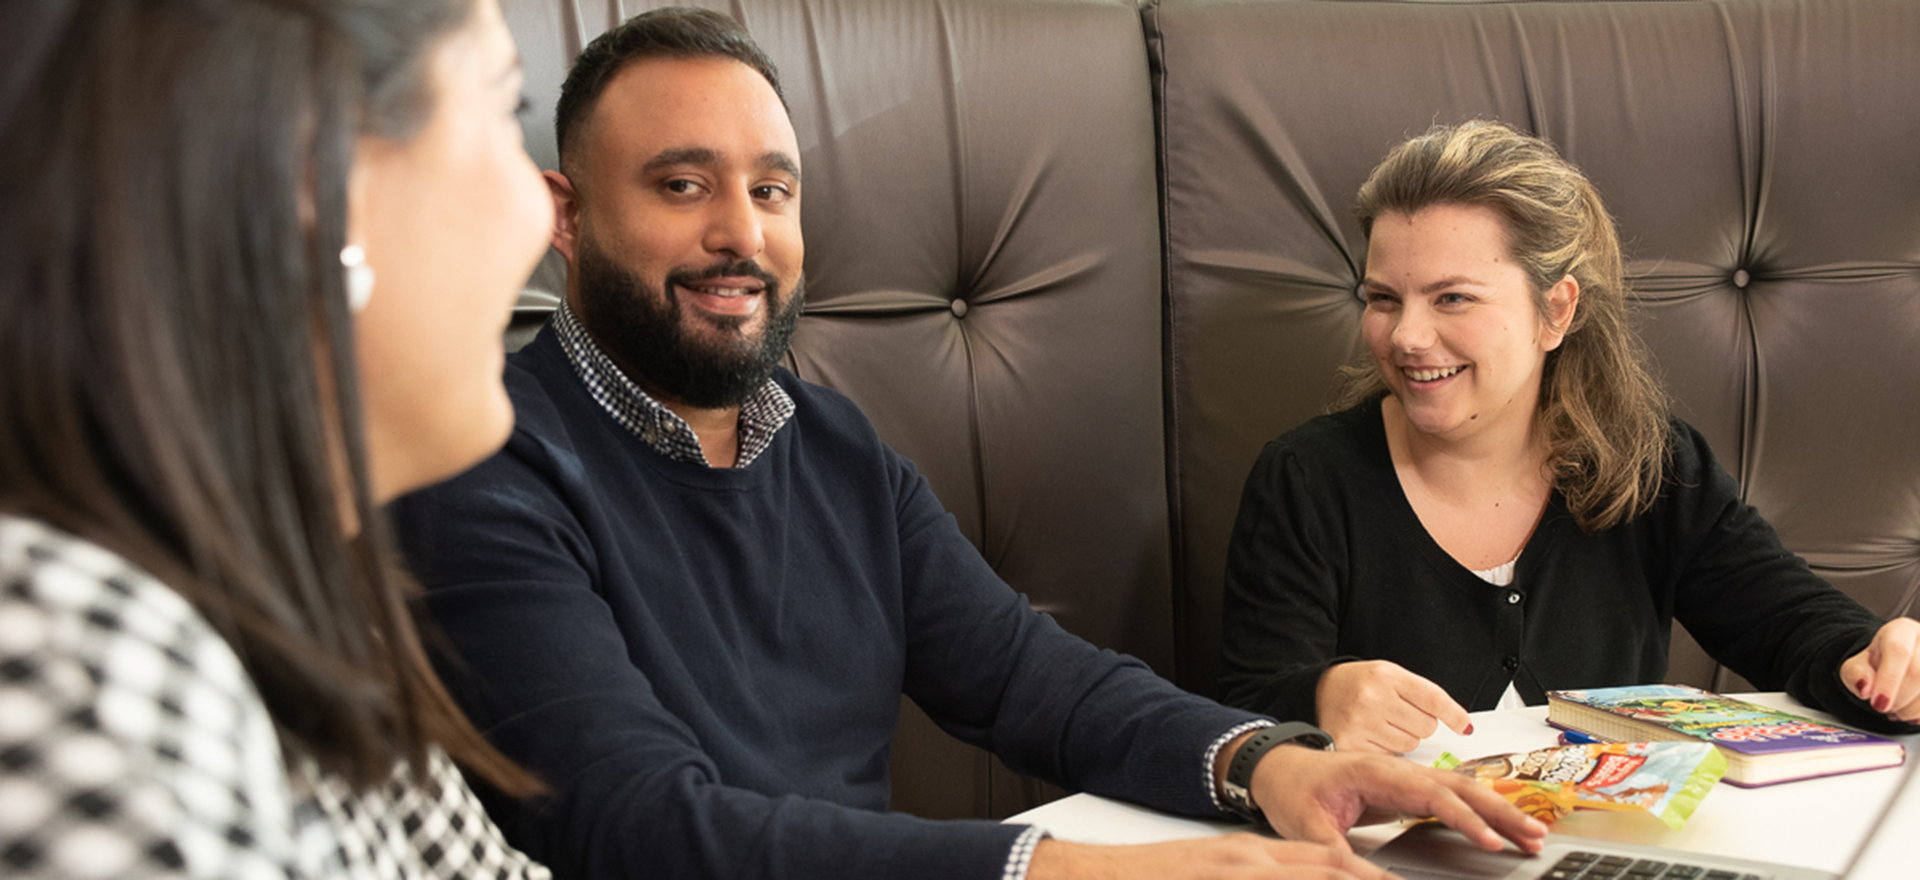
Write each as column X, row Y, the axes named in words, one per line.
column 644, row 330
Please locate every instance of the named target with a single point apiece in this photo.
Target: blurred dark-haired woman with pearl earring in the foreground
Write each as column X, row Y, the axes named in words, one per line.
column 254, row 266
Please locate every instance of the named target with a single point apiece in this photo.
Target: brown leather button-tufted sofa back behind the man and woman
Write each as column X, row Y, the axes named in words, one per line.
column 1080, row 260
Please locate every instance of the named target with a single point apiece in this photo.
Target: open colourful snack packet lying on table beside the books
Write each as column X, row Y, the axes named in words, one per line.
column 1666, row 779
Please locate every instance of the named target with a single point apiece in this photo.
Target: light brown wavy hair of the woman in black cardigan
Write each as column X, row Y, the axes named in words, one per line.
column 1602, row 416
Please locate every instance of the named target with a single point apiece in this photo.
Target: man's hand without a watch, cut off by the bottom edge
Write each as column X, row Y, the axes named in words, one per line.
column 1236, row 856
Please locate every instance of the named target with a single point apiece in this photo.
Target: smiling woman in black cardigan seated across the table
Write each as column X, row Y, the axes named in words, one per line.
column 1500, row 504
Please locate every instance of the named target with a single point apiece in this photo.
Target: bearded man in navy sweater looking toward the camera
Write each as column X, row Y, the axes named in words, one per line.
column 692, row 589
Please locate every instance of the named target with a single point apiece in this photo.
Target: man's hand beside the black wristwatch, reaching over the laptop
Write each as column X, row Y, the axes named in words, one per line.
column 1318, row 796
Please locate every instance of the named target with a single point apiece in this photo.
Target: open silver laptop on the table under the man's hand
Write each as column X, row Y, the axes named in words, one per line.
column 1431, row 852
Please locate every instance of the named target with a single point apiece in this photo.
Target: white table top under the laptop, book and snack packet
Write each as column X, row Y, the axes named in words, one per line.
column 1813, row 823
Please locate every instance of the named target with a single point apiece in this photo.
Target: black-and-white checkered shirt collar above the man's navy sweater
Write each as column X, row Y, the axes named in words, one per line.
column 759, row 418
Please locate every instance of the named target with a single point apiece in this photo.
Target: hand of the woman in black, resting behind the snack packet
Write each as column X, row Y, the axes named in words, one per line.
column 1378, row 706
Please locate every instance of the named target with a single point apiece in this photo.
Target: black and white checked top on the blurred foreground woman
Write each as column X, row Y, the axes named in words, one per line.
column 133, row 745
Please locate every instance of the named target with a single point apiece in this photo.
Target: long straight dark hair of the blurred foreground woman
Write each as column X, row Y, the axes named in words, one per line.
column 176, row 353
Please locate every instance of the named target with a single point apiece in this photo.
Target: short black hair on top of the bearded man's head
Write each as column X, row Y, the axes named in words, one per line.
column 675, row 32
